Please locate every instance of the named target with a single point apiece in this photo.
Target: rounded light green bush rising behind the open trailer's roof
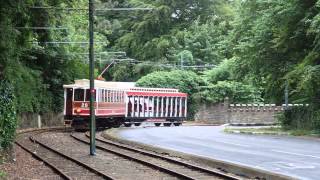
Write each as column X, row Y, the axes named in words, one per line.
column 186, row 81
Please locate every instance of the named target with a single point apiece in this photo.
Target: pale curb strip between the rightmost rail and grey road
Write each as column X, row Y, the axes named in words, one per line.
column 240, row 170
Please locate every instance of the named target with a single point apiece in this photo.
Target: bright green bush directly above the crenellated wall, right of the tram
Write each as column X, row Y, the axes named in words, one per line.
column 220, row 83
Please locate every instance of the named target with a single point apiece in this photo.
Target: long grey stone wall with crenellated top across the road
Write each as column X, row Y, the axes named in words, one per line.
column 223, row 113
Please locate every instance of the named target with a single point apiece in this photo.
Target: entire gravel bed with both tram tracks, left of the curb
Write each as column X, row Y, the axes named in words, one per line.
column 76, row 164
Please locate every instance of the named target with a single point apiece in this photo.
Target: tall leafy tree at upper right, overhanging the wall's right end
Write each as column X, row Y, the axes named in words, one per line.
column 276, row 41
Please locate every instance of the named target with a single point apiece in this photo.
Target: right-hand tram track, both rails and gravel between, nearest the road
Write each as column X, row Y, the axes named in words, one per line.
column 179, row 169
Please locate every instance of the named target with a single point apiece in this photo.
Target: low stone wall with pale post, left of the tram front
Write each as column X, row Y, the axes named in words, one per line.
column 33, row 120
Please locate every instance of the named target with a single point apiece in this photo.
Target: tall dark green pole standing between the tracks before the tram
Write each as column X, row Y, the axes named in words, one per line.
column 92, row 90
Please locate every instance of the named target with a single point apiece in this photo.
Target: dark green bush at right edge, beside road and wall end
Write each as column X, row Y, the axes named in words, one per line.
column 300, row 118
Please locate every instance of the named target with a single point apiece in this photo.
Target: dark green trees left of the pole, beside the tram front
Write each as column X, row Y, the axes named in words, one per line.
column 38, row 69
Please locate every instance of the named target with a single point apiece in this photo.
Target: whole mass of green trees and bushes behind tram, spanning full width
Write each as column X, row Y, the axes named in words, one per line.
column 257, row 46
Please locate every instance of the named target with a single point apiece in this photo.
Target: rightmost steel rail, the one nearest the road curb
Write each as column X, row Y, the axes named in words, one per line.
column 209, row 171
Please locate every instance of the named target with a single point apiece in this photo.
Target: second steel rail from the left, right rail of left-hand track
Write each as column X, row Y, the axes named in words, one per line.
column 104, row 175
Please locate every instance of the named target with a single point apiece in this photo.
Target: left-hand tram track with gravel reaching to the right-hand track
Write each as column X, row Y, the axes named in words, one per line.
column 102, row 166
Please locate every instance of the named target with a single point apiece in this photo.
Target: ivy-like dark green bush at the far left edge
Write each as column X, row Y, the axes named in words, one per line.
column 8, row 118
